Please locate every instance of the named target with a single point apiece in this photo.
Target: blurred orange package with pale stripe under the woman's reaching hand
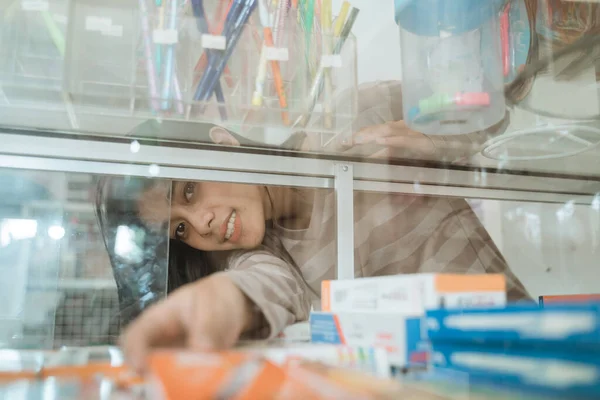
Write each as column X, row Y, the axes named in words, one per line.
column 199, row 376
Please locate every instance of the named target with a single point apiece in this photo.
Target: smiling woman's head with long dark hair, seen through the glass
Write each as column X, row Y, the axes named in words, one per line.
column 197, row 216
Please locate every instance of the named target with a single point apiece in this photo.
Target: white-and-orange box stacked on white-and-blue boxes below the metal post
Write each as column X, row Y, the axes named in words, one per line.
column 388, row 311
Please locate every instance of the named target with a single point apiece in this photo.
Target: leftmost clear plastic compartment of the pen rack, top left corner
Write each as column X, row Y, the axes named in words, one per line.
column 32, row 50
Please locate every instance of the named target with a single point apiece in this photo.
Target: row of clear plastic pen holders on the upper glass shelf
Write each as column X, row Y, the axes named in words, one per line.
column 136, row 60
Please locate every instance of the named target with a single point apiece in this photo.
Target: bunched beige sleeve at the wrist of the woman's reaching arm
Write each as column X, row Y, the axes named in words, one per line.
column 275, row 287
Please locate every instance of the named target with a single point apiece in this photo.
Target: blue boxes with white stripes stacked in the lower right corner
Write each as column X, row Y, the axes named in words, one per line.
column 553, row 350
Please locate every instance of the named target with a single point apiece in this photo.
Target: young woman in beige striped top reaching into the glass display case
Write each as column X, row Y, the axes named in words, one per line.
column 266, row 249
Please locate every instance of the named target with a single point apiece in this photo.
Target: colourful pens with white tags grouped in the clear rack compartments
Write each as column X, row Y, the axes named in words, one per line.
column 282, row 65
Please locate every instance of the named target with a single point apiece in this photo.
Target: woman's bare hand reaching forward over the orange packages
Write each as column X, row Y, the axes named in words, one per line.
column 208, row 314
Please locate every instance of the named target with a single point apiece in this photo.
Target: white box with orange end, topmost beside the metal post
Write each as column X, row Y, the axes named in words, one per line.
column 413, row 294
